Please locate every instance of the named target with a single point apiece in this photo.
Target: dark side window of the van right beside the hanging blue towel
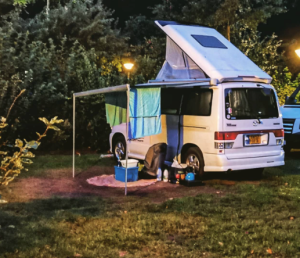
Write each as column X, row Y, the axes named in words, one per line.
column 170, row 101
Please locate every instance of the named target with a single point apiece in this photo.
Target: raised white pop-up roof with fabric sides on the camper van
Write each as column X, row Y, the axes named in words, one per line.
column 198, row 53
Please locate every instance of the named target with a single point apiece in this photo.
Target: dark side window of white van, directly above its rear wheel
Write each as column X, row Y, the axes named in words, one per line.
column 197, row 102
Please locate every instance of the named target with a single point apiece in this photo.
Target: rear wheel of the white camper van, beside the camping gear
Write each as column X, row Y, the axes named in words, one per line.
column 193, row 157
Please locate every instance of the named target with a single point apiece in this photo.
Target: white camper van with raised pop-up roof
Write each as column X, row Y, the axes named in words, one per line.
column 219, row 111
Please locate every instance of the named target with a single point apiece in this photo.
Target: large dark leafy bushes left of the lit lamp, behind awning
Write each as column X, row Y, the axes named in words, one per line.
column 75, row 48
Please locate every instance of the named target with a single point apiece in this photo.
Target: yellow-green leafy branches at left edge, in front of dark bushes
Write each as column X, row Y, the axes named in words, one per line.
column 13, row 164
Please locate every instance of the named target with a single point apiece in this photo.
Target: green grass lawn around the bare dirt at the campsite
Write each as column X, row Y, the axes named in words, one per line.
column 247, row 219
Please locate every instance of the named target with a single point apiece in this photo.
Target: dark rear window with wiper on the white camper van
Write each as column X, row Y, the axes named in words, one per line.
column 250, row 103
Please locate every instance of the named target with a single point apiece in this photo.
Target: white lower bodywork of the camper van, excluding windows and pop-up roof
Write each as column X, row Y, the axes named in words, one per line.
column 200, row 131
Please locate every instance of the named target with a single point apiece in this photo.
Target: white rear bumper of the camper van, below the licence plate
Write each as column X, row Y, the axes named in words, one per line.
column 220, row 163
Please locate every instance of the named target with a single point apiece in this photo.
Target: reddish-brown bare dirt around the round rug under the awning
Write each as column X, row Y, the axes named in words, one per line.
column 59, row 182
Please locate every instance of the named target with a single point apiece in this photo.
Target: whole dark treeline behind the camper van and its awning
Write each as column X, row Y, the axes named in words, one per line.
column 81, row 45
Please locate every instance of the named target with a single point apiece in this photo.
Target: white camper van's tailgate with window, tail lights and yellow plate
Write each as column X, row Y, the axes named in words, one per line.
column 252, row 126
